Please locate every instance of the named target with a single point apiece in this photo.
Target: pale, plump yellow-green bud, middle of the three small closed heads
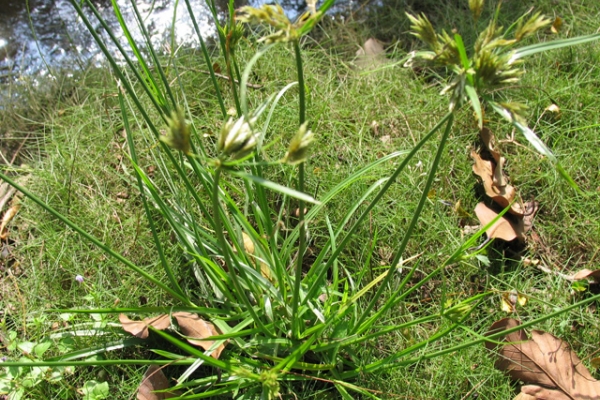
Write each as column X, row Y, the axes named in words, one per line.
column 236, row 139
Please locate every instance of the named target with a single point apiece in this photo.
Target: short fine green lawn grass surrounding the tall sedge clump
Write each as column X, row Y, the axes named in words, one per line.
column 76, row 153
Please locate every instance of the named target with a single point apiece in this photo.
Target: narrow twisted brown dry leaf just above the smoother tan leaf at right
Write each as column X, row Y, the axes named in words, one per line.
column 502, row 195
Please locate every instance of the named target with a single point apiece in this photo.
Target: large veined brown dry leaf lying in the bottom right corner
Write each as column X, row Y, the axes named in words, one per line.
column 547, row 364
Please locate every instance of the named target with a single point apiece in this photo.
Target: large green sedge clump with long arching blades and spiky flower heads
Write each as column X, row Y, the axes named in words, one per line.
column 276, row 316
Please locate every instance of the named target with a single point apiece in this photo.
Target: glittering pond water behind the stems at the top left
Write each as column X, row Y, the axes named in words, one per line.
column 39, row 35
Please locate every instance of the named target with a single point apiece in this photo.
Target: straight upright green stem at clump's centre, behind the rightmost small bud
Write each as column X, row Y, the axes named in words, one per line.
column 300, row 188
